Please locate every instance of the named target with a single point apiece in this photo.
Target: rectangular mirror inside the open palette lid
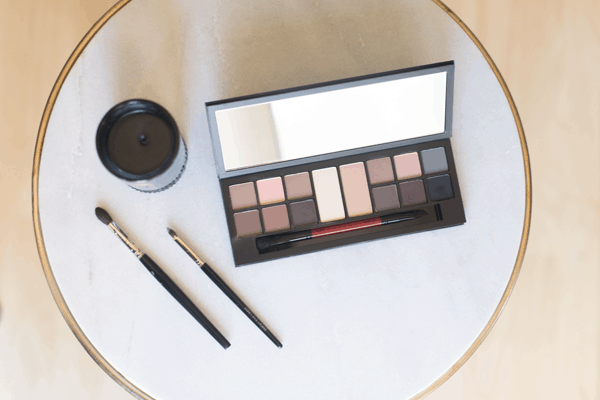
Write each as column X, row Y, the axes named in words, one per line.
column 332, row 121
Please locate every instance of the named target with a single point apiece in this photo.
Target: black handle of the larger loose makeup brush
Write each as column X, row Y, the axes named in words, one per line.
column 178, row 294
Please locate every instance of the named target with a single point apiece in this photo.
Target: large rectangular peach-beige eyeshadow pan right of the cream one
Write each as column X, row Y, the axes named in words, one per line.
column 356, row 189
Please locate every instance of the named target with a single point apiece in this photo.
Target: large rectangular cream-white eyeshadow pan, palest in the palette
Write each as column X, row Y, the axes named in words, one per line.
column 329, row 195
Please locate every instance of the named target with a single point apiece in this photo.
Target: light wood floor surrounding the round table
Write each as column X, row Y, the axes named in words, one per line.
column 546, row 344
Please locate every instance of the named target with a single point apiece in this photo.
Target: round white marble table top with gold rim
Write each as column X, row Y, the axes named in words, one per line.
column 387, row 319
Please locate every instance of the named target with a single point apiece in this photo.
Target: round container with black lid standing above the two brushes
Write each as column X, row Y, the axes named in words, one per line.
column 138, row 141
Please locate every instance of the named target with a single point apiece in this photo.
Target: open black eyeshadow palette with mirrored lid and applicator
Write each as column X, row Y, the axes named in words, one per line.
column 301, row 171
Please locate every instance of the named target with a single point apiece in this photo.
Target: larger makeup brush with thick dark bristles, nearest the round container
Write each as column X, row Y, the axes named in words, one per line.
column 163, row 279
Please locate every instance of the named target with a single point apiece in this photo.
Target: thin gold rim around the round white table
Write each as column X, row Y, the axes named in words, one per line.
column 84, row 340
